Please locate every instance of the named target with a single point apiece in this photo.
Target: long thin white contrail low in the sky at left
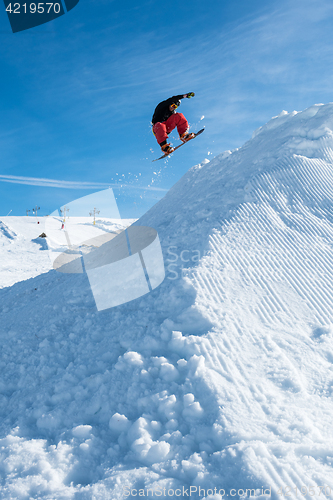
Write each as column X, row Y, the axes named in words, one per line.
column 55, row 183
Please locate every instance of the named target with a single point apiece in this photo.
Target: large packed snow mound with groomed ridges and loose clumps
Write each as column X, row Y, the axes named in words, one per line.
column 220, row 379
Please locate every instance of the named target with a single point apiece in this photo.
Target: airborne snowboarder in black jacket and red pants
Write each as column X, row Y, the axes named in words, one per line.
column 165, row 119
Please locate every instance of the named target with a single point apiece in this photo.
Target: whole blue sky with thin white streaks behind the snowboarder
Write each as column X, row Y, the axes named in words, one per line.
column 78, row 93
